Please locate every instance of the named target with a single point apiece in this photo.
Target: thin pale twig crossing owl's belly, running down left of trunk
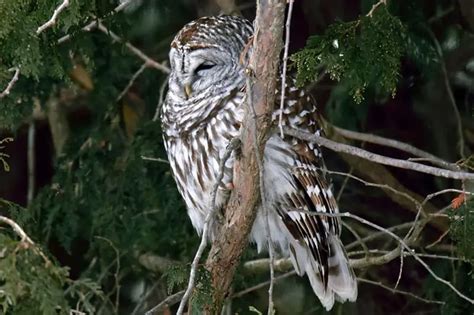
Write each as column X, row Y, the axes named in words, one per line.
column 194, row 266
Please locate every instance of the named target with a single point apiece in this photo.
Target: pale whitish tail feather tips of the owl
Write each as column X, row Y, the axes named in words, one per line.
column 341, row 282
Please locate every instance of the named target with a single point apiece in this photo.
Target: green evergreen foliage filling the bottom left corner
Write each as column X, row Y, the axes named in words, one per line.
column 31, row 284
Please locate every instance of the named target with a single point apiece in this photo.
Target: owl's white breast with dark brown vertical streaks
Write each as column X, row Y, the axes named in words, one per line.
column 195, row 156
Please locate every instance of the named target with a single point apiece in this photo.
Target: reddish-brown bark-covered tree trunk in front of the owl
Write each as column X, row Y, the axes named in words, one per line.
column 241, row 208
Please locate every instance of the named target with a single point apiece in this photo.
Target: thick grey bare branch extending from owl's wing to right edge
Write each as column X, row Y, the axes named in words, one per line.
column 344, row 148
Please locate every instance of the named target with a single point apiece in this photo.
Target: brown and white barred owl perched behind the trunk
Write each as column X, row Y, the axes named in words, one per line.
column 203, row 111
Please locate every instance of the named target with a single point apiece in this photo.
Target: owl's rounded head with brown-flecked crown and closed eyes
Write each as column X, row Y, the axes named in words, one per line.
column 205, row 55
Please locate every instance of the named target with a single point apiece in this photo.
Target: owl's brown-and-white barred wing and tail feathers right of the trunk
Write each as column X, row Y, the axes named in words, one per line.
column 315, row 248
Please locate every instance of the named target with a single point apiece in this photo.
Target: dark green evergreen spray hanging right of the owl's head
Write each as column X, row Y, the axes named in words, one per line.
column 360, row 53
